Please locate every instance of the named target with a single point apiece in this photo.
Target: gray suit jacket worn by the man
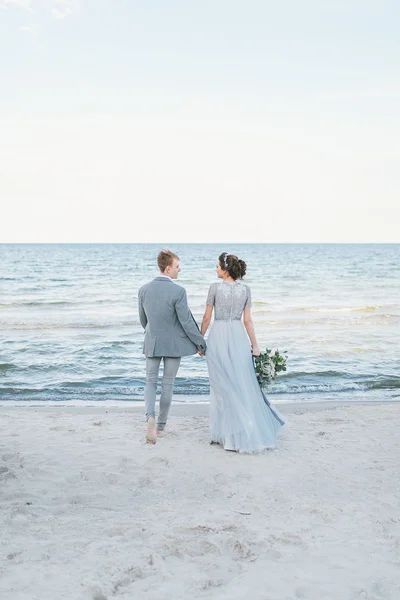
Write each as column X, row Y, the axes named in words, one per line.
column 170, row 328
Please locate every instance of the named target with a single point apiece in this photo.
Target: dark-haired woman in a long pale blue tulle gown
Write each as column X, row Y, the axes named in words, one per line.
column 240, row 419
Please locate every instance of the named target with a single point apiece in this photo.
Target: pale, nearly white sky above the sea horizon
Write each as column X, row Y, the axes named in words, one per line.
column 200, row 121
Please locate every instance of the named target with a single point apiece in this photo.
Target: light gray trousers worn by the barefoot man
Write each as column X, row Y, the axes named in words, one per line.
column 171, row 366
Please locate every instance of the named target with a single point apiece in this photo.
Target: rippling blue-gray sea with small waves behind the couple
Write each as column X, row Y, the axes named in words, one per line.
column 70, row 332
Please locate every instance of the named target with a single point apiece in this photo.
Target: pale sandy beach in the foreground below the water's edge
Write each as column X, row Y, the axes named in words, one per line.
column 88, row 511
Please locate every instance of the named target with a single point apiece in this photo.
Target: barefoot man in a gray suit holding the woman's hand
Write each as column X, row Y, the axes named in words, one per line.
column 170, row 333
